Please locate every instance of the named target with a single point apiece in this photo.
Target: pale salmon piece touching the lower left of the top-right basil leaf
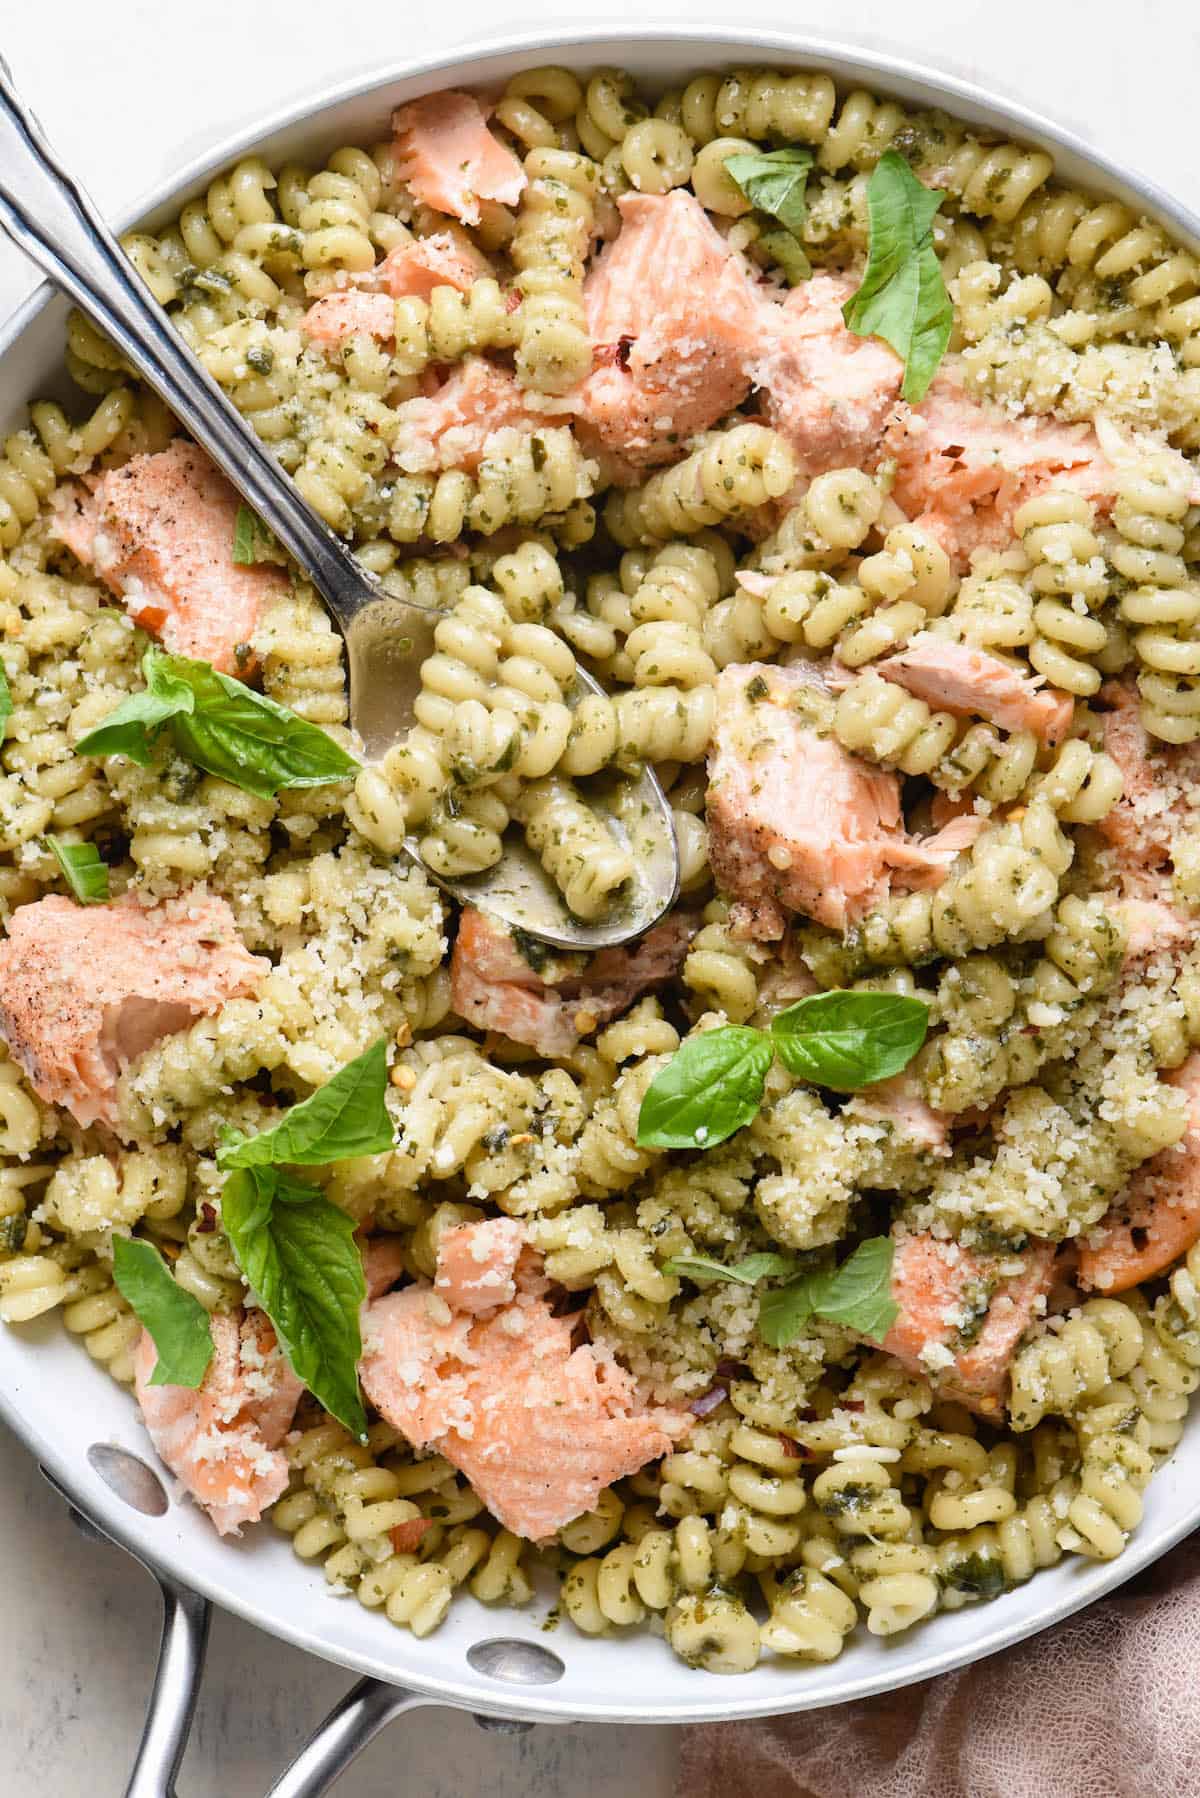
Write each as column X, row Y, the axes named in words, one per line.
column 825, row 389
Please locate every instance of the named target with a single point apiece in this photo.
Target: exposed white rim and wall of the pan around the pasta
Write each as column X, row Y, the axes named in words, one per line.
column 85, row 1430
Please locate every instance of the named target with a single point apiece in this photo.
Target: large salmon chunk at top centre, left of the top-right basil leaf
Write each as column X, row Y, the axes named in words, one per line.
column 676, row 321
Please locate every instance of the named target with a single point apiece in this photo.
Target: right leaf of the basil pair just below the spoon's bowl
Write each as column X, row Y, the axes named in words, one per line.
column 850, row 1040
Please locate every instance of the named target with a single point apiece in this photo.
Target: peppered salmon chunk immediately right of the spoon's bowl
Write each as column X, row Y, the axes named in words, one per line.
column 796, row 823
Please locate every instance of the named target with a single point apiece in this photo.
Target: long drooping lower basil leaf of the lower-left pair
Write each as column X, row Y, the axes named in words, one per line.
column 300, row 1256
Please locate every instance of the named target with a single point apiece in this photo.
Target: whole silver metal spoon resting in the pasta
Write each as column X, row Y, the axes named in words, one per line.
column 53, row 220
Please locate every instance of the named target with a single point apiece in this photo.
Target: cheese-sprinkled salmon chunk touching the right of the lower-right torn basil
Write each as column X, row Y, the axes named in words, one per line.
column 963, row 1313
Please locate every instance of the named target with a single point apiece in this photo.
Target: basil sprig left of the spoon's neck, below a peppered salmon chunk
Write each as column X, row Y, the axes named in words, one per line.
column 220, row 725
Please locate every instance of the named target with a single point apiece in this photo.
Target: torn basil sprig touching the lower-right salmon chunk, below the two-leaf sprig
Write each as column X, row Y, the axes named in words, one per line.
column 859, row 1294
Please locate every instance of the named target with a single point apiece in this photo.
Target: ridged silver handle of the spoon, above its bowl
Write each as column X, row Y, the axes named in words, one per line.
column 57, row 224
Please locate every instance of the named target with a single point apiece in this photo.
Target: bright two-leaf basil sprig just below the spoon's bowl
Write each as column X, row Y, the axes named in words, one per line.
column 715, row 1081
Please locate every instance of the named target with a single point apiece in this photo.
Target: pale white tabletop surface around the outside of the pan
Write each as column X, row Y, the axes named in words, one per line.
column 129, row 91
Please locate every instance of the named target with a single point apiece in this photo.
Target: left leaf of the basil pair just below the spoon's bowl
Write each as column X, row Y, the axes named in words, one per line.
column 712, row 1087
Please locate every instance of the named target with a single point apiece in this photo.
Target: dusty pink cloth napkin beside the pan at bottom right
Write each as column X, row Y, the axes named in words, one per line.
column 1107, row 1705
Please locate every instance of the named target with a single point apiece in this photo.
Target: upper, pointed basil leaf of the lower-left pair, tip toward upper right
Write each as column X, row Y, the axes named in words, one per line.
column 341, row 1119
